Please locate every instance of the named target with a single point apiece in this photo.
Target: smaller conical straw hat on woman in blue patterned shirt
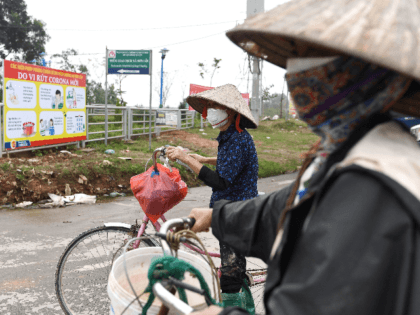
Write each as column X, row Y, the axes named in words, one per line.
column 227, row 96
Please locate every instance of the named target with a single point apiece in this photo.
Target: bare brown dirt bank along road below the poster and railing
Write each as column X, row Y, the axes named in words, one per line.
column 26, row 177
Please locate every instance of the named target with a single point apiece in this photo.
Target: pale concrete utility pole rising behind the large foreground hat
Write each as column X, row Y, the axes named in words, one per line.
column 254, row 7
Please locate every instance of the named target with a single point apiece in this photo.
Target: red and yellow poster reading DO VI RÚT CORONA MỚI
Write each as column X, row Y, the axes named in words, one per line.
column 42, row 106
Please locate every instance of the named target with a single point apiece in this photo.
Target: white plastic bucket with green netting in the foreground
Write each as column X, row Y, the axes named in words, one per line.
column 138, row 262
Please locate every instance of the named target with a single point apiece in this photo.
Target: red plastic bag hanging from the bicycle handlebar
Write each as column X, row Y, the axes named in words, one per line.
column 158, row 192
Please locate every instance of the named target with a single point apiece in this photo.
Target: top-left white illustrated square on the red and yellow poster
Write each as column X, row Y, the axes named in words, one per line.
column 20, row 94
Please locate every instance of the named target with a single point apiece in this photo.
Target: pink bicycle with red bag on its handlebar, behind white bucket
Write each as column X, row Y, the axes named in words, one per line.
column 82, row 271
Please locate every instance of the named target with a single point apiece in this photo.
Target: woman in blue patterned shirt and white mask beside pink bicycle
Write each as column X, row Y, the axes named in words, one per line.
column 236, row 174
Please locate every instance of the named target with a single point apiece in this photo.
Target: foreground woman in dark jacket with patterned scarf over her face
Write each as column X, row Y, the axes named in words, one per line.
column 345, row 237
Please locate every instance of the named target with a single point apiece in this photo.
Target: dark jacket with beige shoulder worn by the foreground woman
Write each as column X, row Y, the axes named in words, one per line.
column 351, row 246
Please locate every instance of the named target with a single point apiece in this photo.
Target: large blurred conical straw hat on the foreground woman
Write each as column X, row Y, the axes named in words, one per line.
column 383, row 32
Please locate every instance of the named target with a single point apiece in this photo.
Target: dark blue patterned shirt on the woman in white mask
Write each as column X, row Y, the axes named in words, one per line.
column 237, row 162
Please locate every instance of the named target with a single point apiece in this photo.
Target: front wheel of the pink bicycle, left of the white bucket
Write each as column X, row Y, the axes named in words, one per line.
column 82, row 272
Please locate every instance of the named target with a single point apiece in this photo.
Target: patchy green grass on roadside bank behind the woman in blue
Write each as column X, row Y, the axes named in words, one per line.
column 279, row 146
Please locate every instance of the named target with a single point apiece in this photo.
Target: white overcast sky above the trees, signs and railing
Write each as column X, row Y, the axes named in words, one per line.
column 90, row 25
